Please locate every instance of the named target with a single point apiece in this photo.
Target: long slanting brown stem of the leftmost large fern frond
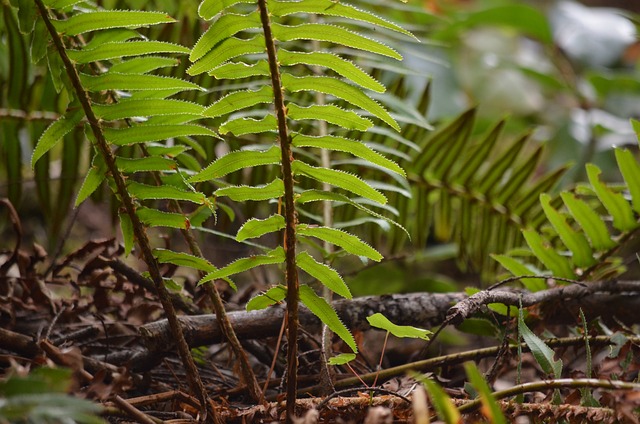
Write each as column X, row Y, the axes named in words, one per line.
column 193, row 376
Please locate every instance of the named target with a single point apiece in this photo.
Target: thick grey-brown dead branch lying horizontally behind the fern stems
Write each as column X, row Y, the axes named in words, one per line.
column 607, row 299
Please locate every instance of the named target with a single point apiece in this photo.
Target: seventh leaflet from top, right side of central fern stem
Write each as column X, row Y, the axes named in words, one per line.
column 340, row 179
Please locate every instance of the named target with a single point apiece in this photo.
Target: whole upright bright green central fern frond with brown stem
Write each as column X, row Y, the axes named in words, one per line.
column 234, row 47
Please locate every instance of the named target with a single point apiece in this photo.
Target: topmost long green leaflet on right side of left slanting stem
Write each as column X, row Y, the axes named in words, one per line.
column 104, row 19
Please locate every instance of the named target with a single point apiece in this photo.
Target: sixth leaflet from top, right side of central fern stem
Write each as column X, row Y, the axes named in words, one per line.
column 342, row 144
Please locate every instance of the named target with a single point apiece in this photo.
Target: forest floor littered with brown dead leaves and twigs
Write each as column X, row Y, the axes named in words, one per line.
column 92, row 314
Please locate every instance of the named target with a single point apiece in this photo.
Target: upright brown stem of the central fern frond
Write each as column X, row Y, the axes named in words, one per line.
column 291, row 273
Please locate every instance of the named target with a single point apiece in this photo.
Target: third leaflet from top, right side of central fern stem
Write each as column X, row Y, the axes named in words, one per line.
column 341, row 66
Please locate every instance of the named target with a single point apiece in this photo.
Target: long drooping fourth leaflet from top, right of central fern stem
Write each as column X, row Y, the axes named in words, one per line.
column 341, row 90
